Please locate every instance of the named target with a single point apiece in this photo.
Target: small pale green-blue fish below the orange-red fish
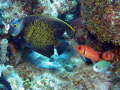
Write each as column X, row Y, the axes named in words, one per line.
column 102, row 66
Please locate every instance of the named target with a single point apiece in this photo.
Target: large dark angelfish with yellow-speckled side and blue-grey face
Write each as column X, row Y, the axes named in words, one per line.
column 40, row 33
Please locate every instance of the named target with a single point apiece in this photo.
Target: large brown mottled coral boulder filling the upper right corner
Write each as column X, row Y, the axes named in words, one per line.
column 102, row 18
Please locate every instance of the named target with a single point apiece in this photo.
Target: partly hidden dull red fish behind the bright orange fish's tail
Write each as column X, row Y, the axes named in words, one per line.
column 108, row 55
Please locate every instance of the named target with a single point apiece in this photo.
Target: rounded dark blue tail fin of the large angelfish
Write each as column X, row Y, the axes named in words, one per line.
column 61, row 47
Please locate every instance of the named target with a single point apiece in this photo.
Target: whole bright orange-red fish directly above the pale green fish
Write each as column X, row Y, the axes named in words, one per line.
column 89, row 53
